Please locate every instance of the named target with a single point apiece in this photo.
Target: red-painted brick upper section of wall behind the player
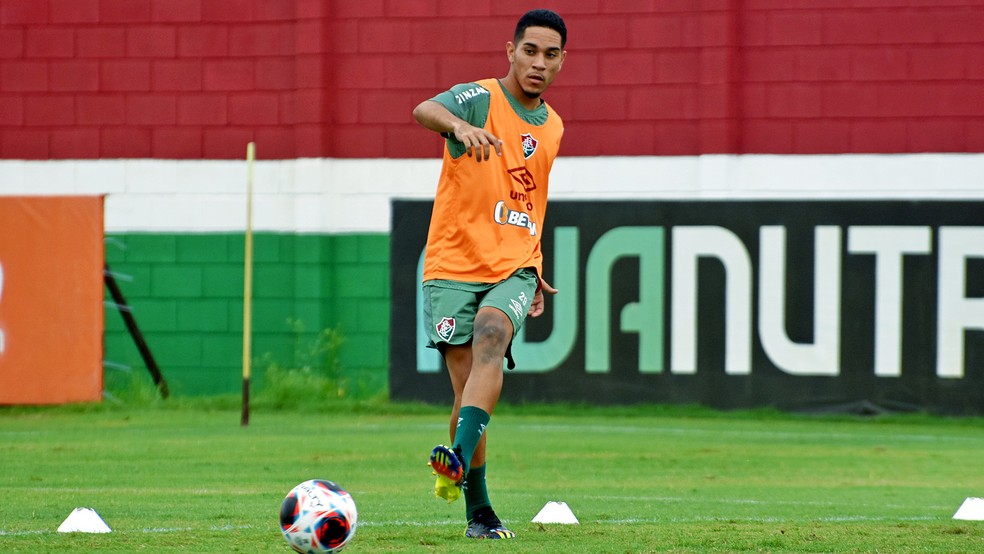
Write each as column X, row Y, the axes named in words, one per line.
column 337, row 78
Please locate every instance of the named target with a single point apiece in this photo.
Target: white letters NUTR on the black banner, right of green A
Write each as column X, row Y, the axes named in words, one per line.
column 956, row 313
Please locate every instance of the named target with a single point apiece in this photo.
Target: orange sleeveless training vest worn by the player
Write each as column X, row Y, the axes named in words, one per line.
column 488, row 216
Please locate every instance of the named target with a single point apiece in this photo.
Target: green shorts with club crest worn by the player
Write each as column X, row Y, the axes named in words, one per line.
column 450, row 306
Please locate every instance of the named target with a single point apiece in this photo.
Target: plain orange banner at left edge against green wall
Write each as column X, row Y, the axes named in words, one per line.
column 51, row 299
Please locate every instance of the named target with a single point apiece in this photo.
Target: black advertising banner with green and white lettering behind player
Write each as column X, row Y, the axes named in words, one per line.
column 858, row 306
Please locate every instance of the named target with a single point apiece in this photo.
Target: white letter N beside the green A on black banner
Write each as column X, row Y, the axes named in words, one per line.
column 689, row 244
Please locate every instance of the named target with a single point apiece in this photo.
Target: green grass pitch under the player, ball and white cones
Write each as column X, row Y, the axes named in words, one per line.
column 185, row 476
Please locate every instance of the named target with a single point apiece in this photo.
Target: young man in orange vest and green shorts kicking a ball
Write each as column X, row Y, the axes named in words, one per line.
column 483, row 268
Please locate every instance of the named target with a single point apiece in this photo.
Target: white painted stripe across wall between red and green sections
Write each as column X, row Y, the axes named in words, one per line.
column 327, row 195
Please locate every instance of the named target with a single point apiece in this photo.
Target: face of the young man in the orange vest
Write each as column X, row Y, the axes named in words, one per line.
column 536, row 59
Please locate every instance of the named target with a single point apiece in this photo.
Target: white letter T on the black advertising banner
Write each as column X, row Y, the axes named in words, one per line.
column 889, row 244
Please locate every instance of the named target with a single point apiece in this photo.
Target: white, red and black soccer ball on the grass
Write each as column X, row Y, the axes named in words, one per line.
column 318, row 517
